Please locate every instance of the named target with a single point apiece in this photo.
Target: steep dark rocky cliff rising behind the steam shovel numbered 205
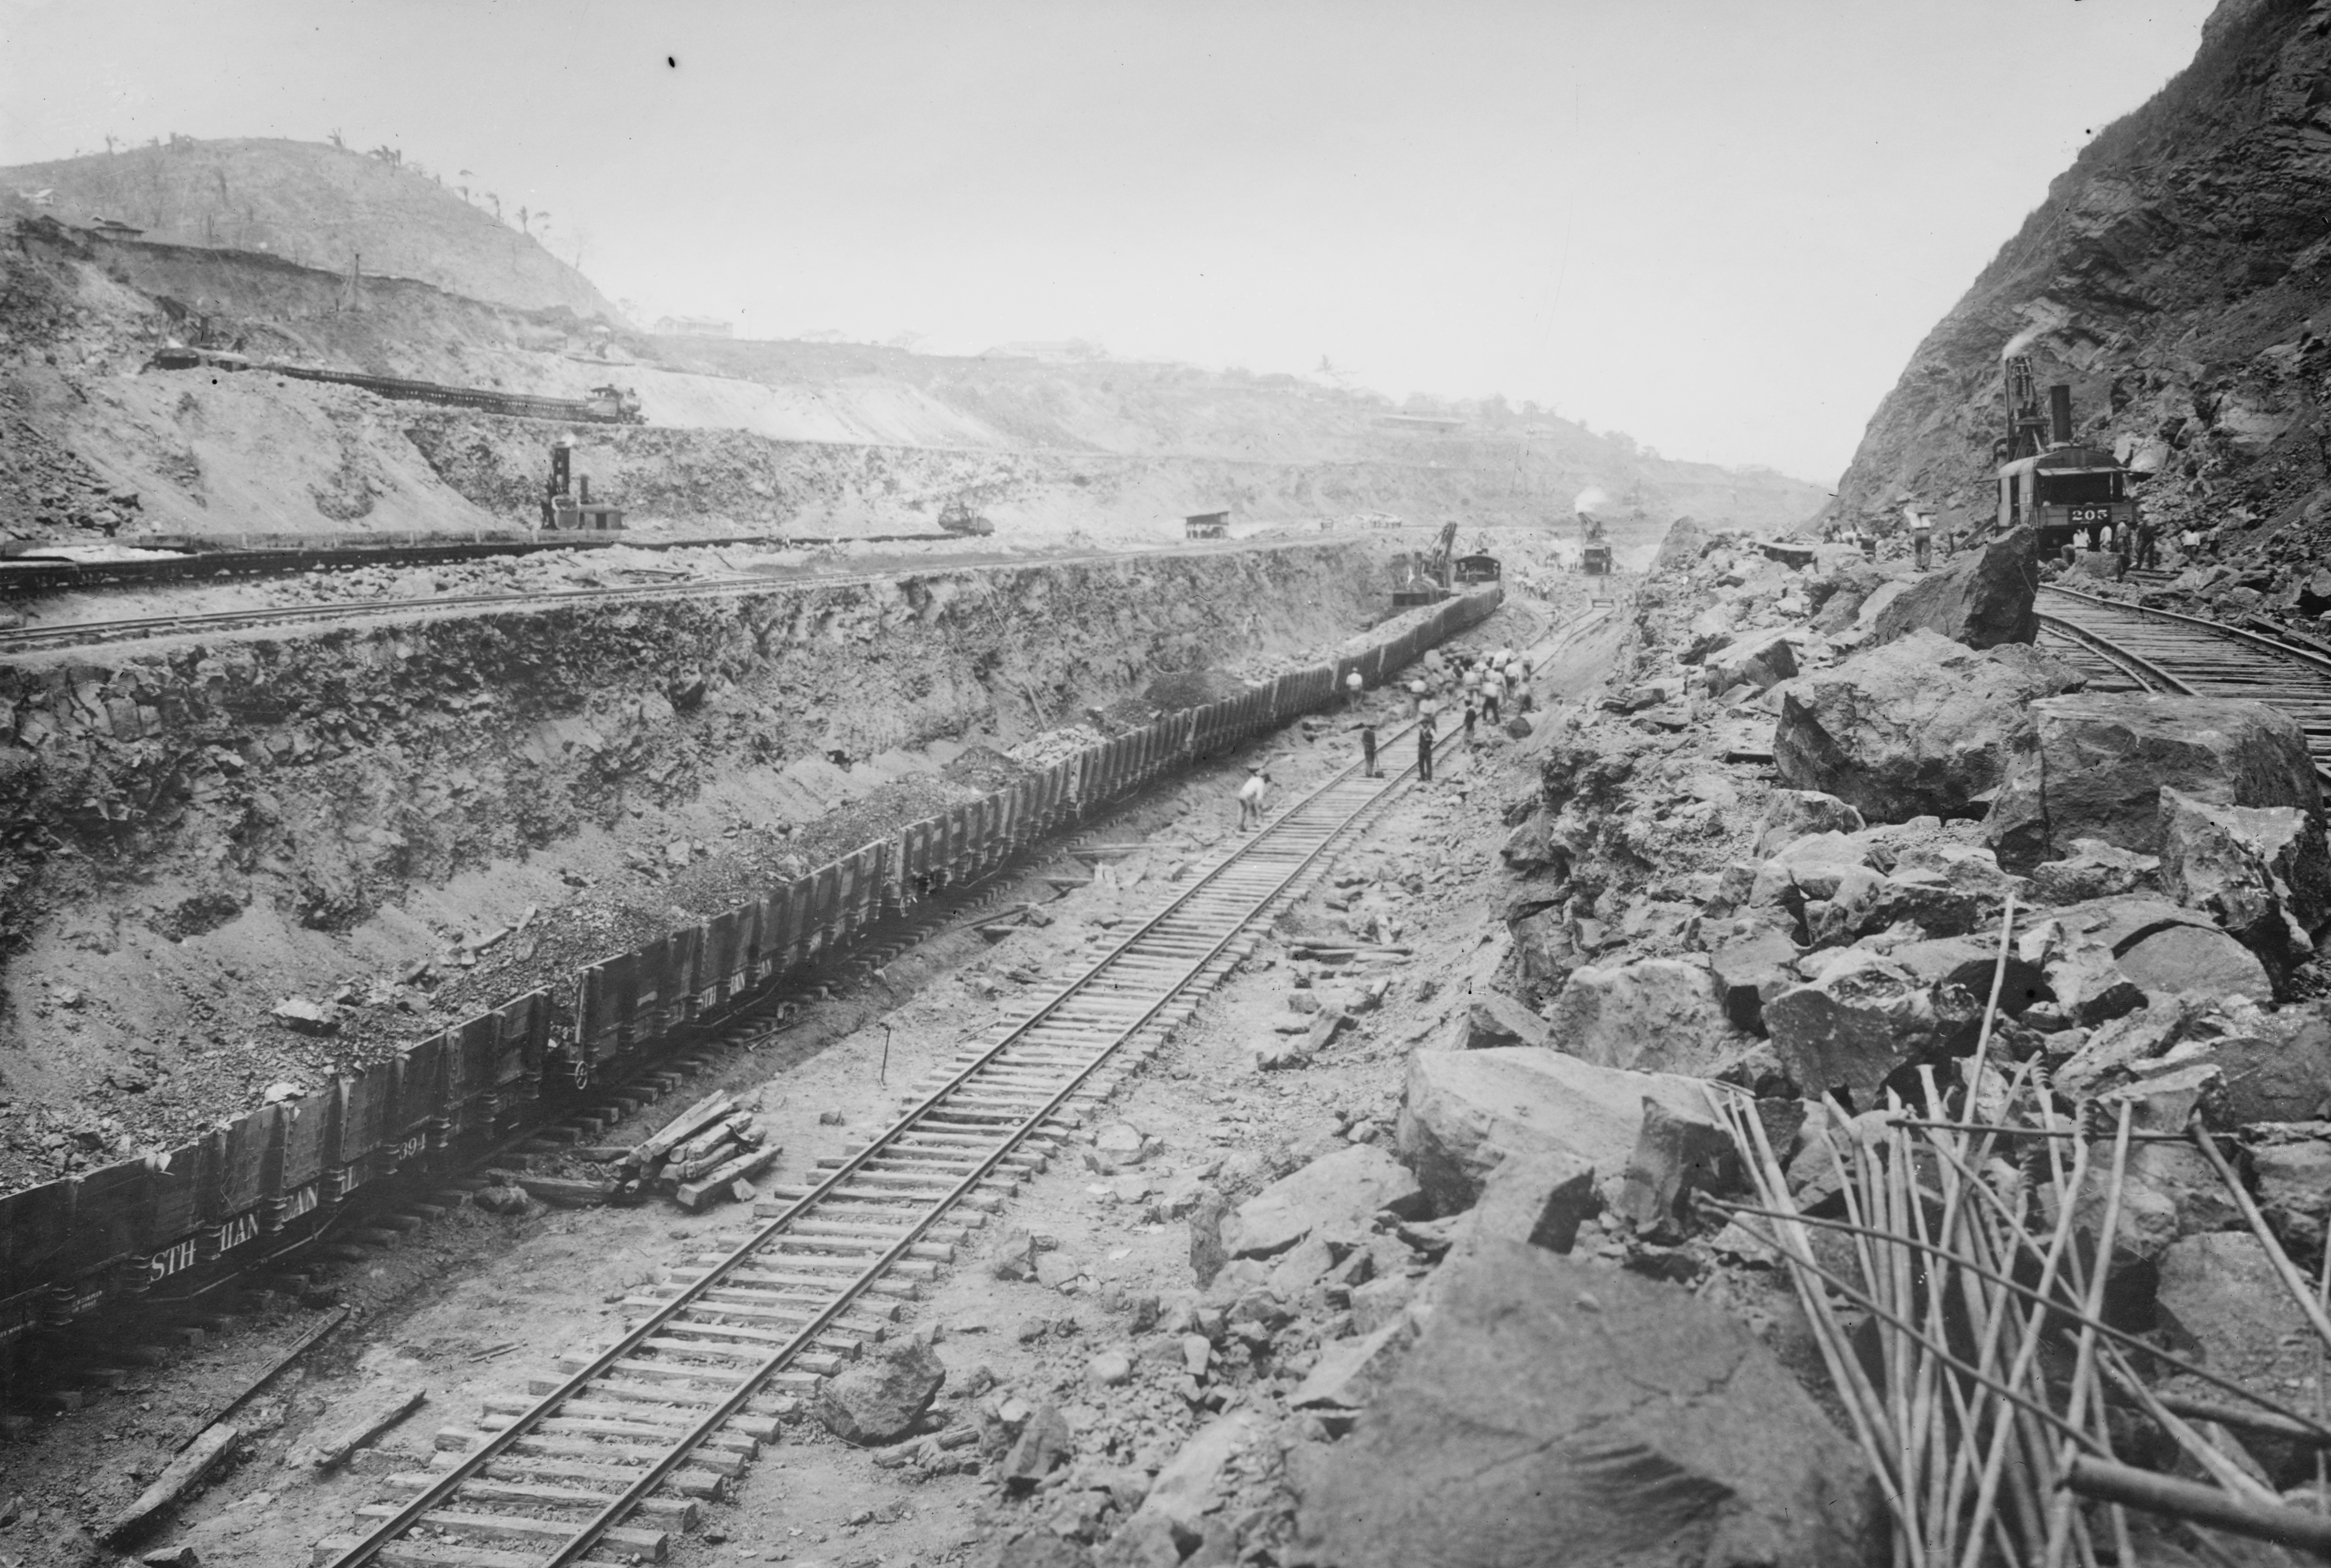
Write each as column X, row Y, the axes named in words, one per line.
column 2176, row 276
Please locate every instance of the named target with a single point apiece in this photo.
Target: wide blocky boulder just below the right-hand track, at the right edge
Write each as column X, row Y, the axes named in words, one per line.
column 2094, row 765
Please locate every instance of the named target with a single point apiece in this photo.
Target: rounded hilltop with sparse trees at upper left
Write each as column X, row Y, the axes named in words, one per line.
column 307, row 204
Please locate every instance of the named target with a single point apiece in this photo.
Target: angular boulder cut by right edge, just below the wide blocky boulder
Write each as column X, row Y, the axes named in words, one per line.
column 2262, row 873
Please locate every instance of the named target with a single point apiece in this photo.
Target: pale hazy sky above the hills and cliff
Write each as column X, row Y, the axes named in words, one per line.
column 1717, row 225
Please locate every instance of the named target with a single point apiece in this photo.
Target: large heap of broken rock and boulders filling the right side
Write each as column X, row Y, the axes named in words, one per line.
column 1780, row 854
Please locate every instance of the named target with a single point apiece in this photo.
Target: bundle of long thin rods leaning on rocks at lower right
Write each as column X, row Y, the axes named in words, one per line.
column 1957, row 1290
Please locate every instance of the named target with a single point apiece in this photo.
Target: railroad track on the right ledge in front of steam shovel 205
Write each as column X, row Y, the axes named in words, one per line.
column 2162, row 651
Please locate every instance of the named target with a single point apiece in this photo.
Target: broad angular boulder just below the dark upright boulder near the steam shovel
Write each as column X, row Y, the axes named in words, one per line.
column 1915, row 728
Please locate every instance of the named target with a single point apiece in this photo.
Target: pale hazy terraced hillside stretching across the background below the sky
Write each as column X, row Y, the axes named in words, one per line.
column 745, row 437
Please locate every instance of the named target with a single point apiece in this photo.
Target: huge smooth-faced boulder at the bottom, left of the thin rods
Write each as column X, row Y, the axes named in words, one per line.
column 1565, row 1413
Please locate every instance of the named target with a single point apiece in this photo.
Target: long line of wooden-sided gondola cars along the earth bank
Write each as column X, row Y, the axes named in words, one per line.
column 276, row 1178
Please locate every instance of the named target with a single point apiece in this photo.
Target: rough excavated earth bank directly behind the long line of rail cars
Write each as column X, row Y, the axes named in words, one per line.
column 202, row 831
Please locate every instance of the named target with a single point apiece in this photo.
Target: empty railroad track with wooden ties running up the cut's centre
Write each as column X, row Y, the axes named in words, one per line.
column 617, row 1453
